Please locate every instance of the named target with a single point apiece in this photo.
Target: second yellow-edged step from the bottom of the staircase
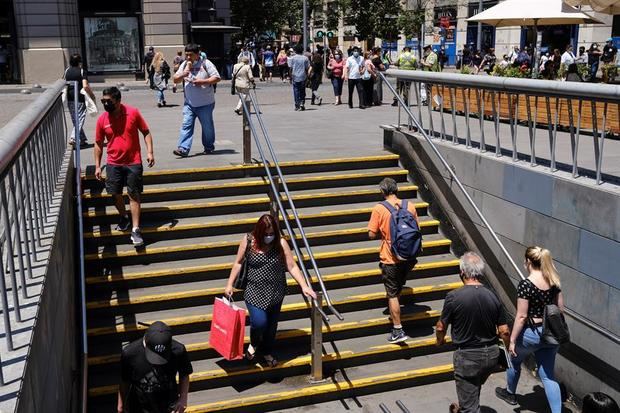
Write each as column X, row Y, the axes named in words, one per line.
column 219, row 377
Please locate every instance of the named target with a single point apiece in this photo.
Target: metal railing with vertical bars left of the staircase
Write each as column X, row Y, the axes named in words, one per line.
column 32, row 151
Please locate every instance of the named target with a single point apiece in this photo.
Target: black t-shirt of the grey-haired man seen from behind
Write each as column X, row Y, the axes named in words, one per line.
column 474, row 312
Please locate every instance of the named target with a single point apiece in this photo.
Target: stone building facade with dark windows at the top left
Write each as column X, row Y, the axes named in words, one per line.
column 37, row 38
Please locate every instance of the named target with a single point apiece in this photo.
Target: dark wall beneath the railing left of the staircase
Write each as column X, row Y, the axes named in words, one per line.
column 51, row 379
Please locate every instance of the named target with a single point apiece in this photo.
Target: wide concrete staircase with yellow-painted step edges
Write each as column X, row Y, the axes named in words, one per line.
column 193, row 221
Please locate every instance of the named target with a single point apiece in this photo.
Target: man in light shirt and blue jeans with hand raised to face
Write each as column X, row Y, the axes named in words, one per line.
column 199, row 77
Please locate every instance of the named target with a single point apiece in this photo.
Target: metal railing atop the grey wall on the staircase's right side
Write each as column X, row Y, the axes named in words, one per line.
column 563, row 125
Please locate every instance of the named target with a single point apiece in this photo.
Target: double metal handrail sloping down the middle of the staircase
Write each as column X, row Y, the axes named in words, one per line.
column 275, row 191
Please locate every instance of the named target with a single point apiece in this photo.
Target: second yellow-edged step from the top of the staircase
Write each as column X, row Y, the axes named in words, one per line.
column 248, row 187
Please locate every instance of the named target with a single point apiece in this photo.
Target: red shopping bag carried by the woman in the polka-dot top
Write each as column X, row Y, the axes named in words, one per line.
column 227, row 329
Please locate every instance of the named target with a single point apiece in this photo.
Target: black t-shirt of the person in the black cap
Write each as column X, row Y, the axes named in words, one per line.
column 153, row 388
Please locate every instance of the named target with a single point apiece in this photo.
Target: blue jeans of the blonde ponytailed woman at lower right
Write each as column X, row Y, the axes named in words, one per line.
column 528, row 343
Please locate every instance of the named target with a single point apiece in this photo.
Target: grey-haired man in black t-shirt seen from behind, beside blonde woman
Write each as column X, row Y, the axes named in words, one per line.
column 476, row 316
